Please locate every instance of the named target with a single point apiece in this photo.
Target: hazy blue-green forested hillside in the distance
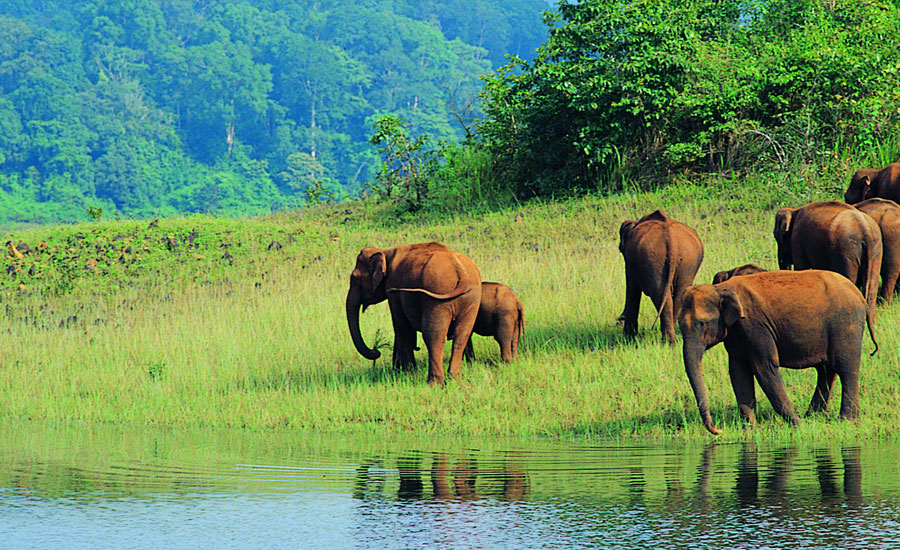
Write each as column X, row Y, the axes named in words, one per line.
column 155, row 107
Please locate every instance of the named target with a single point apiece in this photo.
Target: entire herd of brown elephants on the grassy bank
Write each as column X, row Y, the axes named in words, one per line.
column 814, row 316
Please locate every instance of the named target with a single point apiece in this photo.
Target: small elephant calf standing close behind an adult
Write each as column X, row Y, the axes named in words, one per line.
column 502, row 316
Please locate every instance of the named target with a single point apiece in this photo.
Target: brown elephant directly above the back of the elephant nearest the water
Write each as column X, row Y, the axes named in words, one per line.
column 834, row 236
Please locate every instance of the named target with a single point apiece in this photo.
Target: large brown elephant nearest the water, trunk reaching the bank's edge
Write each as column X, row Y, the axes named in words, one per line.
column 790, row 319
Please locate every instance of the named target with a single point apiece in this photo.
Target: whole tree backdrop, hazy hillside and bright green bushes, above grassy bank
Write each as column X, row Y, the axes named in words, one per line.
column 149, row 107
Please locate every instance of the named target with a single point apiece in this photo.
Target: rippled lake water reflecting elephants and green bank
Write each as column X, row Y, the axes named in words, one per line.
column 99, row 487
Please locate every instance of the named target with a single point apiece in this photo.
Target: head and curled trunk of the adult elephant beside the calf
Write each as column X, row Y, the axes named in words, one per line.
column 367, row 287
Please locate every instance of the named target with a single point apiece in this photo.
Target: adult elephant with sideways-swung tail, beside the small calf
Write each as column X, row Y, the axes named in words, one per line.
column 430, row 289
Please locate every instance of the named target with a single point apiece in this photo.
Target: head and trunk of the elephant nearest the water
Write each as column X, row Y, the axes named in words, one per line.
column 707, row 312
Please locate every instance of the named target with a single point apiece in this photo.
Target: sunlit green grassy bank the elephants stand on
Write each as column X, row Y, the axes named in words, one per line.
column 240, row 323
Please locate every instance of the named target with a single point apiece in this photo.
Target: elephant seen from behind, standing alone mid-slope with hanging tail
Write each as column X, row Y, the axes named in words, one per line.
column 662, row 257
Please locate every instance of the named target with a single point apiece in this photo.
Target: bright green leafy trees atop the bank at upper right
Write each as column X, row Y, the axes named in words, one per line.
column 640, row 90
